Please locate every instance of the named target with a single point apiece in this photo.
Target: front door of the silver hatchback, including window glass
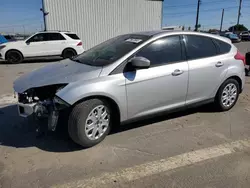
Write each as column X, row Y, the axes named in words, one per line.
column 161, row 87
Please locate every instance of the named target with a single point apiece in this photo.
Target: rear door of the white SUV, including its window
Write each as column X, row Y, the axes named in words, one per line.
column 56, row 44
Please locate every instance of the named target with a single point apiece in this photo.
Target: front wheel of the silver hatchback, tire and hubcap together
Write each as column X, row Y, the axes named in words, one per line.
column 82, row 115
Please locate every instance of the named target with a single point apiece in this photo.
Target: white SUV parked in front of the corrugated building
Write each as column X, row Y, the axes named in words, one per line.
column 42, row 44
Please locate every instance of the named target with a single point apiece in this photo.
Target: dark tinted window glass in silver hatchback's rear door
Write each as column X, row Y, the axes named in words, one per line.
column 199, row 47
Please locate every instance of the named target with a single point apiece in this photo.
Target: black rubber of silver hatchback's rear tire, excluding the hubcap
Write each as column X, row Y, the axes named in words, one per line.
column 219, row 95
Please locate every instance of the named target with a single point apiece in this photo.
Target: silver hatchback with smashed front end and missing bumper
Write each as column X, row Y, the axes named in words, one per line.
column 132, row 76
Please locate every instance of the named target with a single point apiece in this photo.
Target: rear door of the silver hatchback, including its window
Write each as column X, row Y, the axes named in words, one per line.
column 206, row 68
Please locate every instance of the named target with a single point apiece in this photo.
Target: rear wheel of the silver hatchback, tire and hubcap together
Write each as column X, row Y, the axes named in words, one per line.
column 225, row 101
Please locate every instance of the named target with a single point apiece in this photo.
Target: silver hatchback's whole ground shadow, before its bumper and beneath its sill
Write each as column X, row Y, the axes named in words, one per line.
column 20, row 132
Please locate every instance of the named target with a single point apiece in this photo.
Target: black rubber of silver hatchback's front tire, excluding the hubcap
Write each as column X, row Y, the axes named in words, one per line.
column 77, row 122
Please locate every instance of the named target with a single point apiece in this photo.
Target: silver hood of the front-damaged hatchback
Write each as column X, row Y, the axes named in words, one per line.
column 61, row 72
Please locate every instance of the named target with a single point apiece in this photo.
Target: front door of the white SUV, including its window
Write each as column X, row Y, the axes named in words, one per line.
column 35, row 46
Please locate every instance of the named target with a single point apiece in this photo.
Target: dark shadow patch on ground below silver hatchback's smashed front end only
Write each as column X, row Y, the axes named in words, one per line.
column 20, row 132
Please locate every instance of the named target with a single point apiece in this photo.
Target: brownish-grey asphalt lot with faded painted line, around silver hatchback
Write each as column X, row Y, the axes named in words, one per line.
column 196, row 148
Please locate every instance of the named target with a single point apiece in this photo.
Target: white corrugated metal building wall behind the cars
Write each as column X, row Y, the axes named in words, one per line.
column 98, row 20
